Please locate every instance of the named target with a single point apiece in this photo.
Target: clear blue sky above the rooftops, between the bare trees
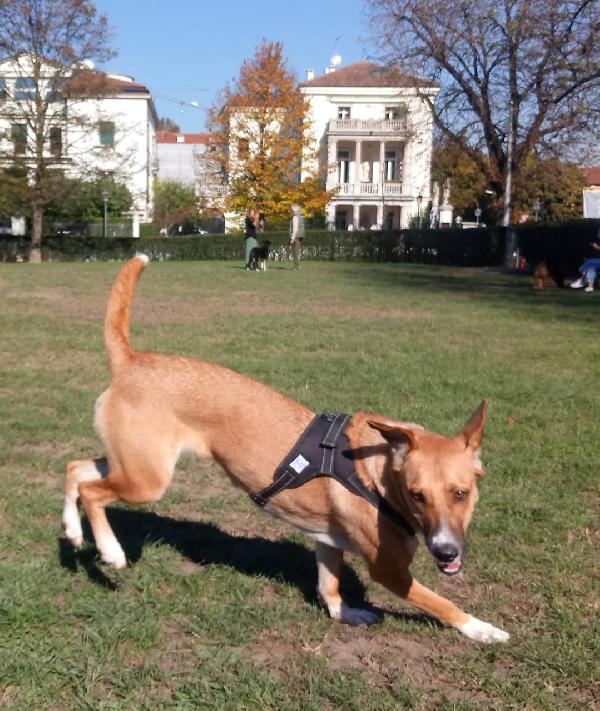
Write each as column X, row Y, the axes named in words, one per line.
column 186, row 50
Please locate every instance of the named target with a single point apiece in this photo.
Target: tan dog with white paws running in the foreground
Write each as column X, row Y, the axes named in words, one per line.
column 159, row 405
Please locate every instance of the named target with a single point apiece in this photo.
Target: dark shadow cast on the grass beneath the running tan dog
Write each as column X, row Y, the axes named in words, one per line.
column 206, row 544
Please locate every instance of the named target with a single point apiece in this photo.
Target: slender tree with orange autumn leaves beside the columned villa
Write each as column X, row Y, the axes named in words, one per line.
column 261, row 141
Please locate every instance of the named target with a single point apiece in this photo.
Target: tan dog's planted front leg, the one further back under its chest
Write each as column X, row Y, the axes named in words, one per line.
column 329, row 566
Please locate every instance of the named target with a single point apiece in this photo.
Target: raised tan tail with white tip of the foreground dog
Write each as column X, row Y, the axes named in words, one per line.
column 118, row 312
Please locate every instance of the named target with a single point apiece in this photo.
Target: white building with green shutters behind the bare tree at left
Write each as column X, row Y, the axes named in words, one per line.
column 96, row 125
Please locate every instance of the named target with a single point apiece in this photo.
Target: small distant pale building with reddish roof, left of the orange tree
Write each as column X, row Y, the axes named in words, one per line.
column 179, row 156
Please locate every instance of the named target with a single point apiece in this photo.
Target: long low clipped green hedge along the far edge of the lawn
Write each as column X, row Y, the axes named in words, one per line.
column 453, row 247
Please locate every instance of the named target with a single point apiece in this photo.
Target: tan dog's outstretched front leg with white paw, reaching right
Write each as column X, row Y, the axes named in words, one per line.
column 412, row 591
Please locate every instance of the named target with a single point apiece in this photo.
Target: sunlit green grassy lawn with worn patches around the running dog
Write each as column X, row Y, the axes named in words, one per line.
column 218, row 608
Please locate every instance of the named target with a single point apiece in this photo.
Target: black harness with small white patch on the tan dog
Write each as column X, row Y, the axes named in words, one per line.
column 324, row 450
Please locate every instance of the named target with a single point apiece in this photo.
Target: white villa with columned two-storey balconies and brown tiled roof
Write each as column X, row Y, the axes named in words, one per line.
column 374, row 134
